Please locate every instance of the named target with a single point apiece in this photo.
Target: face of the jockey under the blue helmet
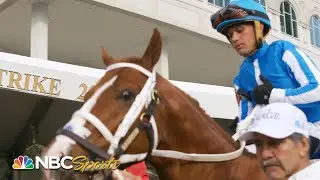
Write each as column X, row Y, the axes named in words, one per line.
column 242, row 38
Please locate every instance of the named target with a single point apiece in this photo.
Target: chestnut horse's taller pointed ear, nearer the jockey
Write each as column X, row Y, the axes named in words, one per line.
column 152, row 54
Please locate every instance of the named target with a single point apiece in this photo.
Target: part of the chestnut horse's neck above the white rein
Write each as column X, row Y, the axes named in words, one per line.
column 187, row 128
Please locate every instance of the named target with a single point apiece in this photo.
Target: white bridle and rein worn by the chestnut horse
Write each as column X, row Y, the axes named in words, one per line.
column 75, row 131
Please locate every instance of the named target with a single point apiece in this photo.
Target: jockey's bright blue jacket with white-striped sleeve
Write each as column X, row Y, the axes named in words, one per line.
column 294, row 77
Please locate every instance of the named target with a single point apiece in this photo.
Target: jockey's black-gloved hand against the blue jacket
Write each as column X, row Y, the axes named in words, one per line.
column 261, row 94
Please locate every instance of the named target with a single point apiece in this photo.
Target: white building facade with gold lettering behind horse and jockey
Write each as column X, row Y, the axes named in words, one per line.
column 57, row 43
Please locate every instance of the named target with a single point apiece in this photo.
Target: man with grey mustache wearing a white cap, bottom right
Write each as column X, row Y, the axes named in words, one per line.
column 280, row 133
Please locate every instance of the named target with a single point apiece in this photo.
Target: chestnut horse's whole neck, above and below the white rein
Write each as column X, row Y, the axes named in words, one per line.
column 185, row 127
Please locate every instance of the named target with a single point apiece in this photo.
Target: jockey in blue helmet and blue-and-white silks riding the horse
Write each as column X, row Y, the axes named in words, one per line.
column 276, row 72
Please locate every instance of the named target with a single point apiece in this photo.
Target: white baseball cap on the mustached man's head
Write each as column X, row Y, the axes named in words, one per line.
column 277, row 120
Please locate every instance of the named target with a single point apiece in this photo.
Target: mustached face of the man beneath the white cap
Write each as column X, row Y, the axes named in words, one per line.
column 281, row 158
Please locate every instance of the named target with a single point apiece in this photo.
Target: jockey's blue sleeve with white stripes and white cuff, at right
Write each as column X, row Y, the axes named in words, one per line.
column 306, row 74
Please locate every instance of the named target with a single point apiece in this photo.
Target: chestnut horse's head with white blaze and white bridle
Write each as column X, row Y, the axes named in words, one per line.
column 117, row 113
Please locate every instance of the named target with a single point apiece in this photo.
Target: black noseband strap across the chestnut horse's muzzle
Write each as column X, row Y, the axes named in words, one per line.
column 86, row 144
